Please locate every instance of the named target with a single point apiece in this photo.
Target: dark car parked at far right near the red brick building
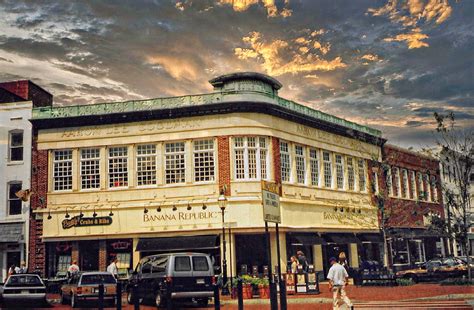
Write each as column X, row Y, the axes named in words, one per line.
column 435, row 269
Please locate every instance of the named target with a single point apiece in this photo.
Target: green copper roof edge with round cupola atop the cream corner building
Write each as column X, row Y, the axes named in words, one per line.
column 236, row 87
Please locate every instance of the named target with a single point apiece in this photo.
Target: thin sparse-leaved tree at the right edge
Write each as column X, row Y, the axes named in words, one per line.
column 456, row 144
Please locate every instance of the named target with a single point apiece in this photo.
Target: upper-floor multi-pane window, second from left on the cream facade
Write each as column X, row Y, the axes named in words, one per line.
column 90, row 168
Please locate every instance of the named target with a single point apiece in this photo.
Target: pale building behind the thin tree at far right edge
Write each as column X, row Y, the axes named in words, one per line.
column 452, row 171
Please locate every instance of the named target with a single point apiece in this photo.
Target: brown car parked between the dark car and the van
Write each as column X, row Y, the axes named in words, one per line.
column 84, row 287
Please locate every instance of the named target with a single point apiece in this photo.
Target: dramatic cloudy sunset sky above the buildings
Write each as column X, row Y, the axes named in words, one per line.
column 386, row 64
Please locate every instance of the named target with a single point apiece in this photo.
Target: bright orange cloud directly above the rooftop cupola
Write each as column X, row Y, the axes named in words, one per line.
column 279, row 57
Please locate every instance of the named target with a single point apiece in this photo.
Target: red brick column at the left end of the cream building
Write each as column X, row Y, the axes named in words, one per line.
column 39, row 188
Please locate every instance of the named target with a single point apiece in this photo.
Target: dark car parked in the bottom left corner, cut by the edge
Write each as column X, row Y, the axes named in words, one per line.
column 21, row 288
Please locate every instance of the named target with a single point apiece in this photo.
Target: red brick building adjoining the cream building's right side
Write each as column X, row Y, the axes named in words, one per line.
column 408, row 185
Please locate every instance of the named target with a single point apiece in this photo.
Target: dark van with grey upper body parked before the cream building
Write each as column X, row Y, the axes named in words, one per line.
column 176, row 276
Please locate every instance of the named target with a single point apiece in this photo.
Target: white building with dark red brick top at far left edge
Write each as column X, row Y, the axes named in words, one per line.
column 16, row 101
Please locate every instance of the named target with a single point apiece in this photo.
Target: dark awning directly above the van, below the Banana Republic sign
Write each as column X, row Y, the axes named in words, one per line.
column 184, row 243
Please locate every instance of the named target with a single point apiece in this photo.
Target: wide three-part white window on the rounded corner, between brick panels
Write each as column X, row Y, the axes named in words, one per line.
column 250, row 154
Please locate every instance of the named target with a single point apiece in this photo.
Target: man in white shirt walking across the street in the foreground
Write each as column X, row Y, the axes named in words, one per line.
column 338, row 277
